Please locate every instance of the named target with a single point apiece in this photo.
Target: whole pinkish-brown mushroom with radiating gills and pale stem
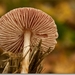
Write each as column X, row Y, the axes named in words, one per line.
column 22, row 27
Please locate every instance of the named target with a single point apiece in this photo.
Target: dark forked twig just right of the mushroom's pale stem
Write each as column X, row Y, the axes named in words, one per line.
column 38, row 56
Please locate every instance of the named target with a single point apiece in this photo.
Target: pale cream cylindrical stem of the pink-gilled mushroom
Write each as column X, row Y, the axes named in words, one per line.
column 25, row 62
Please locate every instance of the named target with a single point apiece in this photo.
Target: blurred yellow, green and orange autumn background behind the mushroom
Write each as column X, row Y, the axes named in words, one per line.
column 62, row 59
